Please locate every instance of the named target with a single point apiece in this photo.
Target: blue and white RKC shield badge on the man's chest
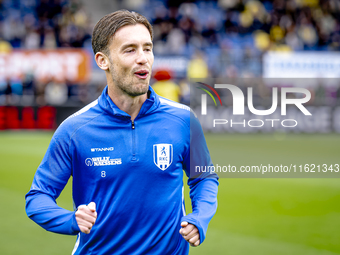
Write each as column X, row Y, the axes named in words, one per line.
column 162, row 155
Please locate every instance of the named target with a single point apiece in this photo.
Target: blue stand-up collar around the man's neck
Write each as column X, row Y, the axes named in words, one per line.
column 149, row 106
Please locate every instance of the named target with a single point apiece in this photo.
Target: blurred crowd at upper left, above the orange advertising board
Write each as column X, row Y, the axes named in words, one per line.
column 32, row 24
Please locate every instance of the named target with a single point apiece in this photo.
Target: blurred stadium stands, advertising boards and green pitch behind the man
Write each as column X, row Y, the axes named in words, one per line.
column 47, row 72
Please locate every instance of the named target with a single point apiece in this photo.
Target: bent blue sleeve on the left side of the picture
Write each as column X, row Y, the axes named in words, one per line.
column 49, row 180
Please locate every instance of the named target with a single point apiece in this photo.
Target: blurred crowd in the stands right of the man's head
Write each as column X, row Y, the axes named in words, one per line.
column 234, row 34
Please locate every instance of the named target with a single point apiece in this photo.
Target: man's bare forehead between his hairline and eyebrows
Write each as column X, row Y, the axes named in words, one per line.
column 131, row 34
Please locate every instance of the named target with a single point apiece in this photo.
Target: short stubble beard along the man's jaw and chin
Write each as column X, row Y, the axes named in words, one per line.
column 126, row 85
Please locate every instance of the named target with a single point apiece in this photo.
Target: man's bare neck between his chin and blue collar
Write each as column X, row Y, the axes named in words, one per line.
column 130, row 105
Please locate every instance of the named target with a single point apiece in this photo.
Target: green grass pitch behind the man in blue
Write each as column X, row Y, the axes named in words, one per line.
column 255, row 216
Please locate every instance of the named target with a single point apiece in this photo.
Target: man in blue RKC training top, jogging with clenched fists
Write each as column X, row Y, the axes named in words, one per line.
column 125, row 152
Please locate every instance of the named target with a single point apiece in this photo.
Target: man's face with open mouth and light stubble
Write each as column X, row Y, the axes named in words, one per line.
column 131, row 59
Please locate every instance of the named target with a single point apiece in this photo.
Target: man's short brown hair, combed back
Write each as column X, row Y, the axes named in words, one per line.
column 110, row 23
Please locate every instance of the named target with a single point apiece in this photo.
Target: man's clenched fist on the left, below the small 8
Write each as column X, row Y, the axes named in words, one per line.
column 86, row 216
